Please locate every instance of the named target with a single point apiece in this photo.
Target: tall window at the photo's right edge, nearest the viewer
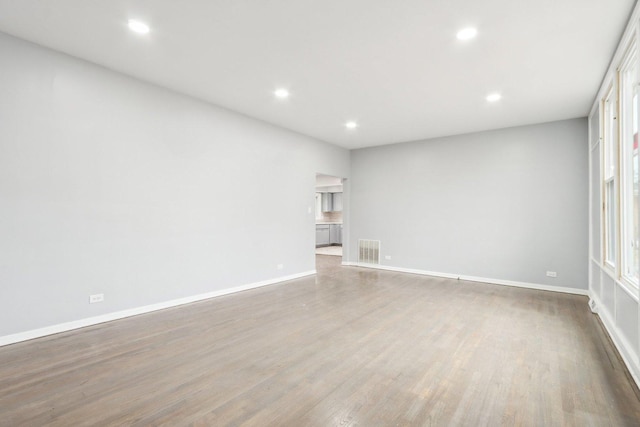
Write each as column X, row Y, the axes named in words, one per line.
column 629, row 167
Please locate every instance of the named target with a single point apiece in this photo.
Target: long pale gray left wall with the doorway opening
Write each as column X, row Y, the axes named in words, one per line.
column 111, row 185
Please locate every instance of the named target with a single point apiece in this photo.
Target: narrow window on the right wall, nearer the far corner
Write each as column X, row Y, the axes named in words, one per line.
column 609, row 178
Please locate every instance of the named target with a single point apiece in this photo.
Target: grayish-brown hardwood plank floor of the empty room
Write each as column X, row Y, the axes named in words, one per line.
column 347, row 347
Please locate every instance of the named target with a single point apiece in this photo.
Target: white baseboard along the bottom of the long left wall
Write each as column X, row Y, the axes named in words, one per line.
column 76, row 324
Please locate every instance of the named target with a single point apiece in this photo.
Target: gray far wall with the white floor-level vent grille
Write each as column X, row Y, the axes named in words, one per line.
column 507, row 205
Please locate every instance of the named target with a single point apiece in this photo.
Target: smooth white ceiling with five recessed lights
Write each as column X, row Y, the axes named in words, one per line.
column 394, row 66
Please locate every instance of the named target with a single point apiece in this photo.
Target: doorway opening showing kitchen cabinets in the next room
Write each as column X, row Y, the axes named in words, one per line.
column 329, row 206
